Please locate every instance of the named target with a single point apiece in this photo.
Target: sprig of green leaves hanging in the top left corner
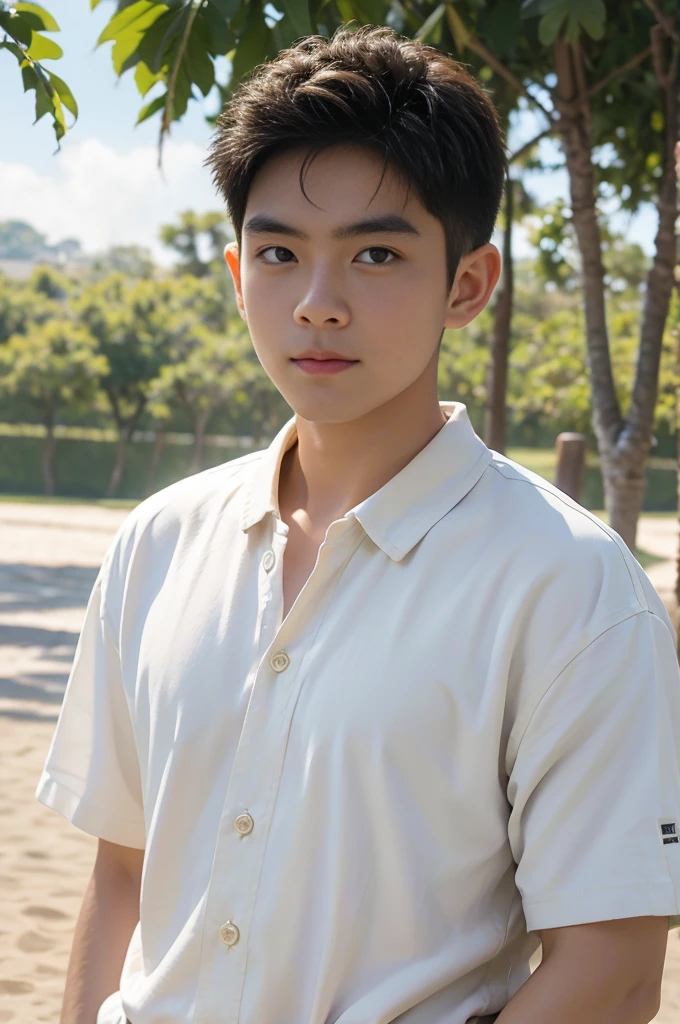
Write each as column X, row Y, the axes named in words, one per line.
column 23, row 24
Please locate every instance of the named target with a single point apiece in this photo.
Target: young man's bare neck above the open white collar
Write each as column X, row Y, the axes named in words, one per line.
column 334, row 466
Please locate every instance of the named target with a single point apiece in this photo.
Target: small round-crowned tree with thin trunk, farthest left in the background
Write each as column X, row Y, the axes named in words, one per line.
column 56, row 365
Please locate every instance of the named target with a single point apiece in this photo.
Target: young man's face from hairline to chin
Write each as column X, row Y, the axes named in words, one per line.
column 376, row 296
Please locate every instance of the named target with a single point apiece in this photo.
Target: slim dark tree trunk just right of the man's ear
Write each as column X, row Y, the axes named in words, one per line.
column 497, row 379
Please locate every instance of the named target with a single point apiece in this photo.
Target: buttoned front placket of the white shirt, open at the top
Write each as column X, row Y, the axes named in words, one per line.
column 258, row 769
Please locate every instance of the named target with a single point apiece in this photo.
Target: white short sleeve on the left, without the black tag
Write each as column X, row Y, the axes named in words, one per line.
column 92, row 776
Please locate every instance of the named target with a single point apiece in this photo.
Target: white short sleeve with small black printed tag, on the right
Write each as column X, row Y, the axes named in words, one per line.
column 596, row 785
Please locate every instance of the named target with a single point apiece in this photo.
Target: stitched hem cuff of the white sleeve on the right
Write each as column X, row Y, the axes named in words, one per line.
column 613, row 904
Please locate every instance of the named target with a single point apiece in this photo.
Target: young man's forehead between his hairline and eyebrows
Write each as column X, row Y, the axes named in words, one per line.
column 337, row 181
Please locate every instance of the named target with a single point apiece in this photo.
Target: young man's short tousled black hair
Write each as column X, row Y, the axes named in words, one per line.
column 433, row 122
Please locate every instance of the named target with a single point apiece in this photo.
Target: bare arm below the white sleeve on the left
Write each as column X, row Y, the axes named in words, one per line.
column 108, row 918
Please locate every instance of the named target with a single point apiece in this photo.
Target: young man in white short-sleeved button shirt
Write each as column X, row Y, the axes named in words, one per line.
column 363, row 719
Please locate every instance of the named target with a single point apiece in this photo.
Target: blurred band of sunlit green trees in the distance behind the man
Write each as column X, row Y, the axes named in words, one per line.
column 129, row 345
